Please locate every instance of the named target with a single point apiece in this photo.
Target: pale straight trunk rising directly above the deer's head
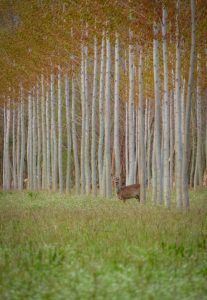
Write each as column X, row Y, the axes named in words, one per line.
column 117, row 110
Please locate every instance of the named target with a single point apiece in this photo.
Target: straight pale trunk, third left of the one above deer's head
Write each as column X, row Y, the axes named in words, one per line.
column 93, row 124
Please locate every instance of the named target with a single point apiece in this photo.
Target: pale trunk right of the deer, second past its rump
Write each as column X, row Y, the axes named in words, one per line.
column 157, row 112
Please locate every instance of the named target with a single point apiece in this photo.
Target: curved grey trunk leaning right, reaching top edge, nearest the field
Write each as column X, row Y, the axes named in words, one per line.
column 188, row 106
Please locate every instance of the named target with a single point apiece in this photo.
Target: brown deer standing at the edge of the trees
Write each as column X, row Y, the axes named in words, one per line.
column 127, row 192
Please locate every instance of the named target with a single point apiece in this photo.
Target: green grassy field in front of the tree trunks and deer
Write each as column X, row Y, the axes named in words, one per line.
column 56, row 246
